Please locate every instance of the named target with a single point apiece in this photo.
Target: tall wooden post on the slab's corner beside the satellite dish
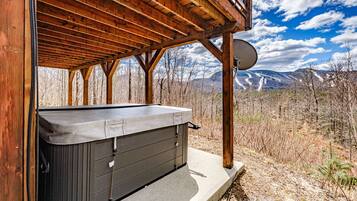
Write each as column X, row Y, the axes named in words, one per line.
column 228, row 100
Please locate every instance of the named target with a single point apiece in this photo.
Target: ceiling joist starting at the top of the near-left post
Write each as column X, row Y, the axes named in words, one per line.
column 67, row 11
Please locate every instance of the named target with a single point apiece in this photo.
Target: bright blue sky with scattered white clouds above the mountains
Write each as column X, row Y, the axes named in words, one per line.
column 292, row 34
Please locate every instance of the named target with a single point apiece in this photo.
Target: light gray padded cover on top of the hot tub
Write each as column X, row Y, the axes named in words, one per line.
column 64, row 127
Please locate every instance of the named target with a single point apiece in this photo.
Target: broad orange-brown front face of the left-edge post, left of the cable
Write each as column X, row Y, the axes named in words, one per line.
column 12, row 65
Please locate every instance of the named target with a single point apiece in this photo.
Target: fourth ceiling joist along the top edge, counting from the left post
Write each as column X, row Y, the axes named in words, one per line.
column 176, row 8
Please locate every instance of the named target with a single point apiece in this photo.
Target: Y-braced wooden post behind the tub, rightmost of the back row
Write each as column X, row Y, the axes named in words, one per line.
column 149, row 66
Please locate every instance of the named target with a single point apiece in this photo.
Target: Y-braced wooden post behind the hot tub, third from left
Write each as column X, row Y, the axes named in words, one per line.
column 109, row 69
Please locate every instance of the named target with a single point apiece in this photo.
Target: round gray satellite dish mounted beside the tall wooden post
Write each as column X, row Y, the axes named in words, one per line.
column 245, row 55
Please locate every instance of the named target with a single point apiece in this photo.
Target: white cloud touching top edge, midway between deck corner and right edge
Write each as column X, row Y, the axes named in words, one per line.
column 291, row 9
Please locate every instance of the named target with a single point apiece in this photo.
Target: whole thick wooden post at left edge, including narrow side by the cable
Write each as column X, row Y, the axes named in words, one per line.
column 15, row 80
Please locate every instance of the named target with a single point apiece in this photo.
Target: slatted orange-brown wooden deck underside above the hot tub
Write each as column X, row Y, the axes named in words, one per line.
column 75, row 34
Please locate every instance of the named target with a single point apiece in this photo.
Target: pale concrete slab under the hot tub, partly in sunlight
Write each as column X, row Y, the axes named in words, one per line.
column 202, row 179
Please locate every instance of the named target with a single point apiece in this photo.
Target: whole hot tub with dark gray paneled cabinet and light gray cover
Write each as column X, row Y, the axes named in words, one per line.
column 85, row 171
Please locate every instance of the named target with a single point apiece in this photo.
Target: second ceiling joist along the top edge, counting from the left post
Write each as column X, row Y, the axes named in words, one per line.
column 125, row 14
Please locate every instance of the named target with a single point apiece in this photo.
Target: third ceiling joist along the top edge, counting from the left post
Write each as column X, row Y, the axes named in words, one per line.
column 148, row 11
